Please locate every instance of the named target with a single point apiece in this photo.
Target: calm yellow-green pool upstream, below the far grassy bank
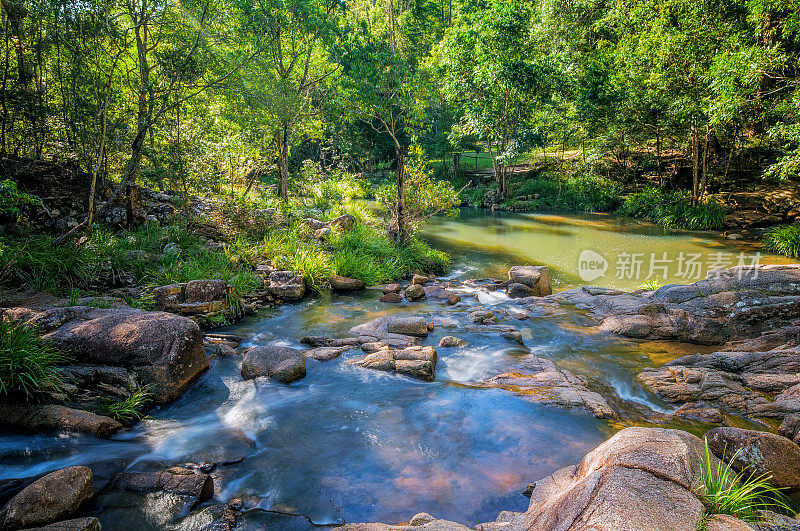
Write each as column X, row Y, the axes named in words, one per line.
column 488, row 244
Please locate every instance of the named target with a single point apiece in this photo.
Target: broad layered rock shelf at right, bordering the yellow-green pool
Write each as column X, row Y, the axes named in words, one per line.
column 733, row 304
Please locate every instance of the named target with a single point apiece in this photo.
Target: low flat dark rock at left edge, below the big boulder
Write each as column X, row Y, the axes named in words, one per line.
column 52, row 417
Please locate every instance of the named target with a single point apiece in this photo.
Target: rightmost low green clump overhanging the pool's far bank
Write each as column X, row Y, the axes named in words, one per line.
column 673, row 209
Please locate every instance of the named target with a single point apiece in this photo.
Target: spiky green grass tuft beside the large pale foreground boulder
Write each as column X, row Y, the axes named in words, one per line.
column 737, row 494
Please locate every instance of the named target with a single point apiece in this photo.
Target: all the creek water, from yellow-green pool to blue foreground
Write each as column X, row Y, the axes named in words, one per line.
column 352, row 444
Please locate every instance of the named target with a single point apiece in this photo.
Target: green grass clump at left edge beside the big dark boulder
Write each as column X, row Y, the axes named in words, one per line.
column 28, row 364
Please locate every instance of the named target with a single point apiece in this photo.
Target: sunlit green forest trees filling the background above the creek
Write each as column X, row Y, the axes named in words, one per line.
column 249, row 98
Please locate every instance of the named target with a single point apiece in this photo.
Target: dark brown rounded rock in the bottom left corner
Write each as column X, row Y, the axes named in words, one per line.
column 50, row 498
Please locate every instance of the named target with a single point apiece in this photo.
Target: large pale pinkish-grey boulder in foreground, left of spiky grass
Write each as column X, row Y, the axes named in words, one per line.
column 642, row 478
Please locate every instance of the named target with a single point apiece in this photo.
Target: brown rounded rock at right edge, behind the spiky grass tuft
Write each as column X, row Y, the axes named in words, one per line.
column 758, row 452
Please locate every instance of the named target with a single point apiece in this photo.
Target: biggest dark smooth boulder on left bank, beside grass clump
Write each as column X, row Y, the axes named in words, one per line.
column 163, row 350
